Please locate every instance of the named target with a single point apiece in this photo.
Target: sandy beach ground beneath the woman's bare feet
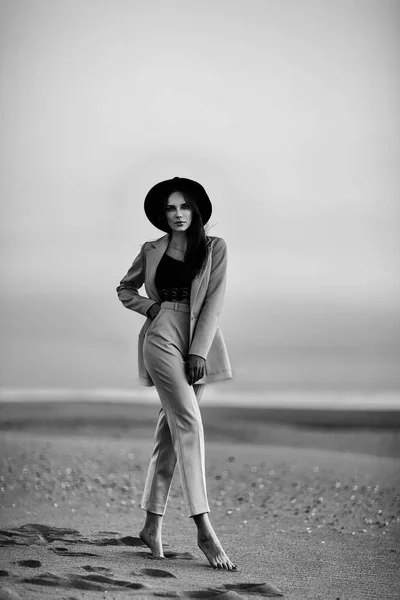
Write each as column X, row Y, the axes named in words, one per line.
column 308, row 507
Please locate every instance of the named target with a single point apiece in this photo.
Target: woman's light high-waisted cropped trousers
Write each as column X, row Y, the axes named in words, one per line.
column 179, row 436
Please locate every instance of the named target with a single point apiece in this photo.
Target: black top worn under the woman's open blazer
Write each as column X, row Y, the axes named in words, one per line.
column 173, row 279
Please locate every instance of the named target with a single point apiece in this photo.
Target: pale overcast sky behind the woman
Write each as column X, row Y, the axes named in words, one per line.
column 286, row 111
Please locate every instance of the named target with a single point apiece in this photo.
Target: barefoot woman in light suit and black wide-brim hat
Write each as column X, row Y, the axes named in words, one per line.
column 181, row 348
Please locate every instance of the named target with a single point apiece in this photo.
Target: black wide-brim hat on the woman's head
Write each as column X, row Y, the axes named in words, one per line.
column 153, row 203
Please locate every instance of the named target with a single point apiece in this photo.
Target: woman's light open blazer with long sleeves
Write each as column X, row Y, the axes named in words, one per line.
column 206, row 298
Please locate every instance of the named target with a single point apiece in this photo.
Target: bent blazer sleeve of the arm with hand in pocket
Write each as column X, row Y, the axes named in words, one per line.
column 130, row 284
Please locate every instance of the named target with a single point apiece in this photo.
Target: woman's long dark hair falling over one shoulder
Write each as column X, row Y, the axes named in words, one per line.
column 197, row 240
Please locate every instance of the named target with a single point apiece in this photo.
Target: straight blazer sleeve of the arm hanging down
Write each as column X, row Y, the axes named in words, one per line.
column 207, row 321
